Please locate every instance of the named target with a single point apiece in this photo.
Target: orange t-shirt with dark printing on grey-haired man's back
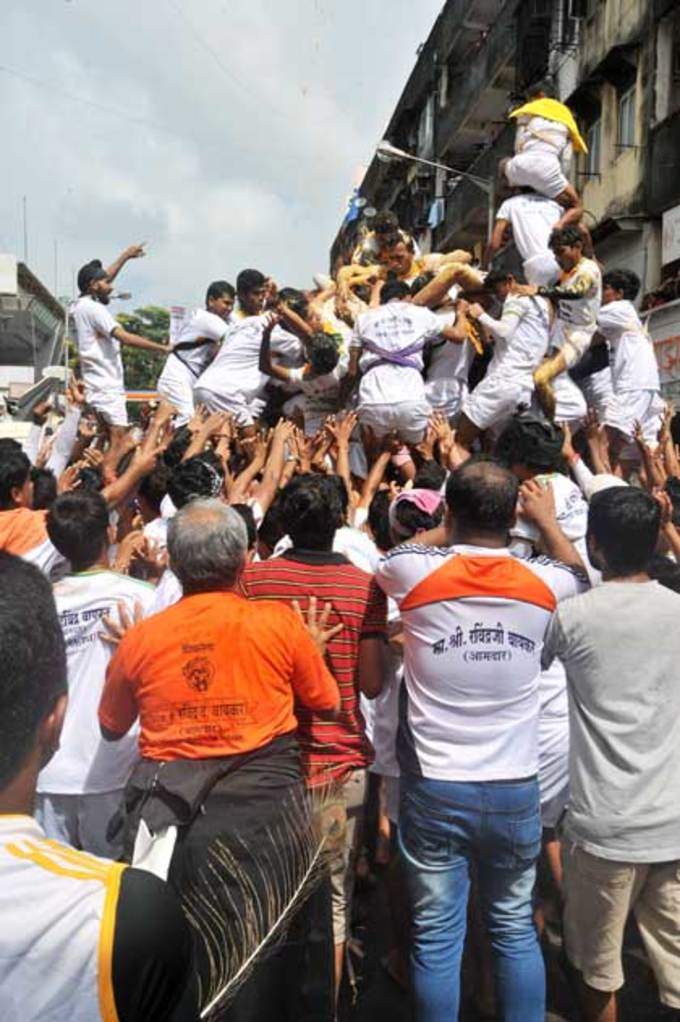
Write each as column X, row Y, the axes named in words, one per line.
column 214, row 676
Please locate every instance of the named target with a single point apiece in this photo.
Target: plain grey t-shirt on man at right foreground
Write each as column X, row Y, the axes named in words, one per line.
column 620, row 645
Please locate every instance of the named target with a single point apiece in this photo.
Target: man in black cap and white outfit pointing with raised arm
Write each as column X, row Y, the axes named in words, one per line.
column 100, row 338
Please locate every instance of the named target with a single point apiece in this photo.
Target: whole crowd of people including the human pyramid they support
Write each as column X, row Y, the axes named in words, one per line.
column 406, row 539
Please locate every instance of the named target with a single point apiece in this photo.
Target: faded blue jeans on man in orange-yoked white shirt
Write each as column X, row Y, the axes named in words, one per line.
column 445, row 826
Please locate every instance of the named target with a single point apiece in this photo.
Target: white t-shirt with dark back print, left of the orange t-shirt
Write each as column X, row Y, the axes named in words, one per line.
column 85, row 764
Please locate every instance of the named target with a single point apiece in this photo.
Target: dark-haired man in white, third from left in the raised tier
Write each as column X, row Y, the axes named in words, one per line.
column 234, row 382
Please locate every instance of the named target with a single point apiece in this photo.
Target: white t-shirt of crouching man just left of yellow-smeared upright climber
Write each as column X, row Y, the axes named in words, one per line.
column 521, row 337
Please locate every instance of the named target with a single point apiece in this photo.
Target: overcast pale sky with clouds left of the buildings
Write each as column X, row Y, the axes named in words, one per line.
column 225, row 133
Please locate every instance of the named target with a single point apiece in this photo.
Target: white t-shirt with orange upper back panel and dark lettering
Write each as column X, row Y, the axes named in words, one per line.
column 475, row 621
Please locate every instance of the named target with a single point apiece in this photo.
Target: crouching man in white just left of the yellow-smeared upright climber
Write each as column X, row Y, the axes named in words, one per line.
column 521, row 341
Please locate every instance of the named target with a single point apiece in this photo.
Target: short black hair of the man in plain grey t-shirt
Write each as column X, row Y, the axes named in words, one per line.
column 623, row 523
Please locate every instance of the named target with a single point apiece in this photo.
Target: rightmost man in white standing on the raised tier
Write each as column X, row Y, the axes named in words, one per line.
column 632, row 363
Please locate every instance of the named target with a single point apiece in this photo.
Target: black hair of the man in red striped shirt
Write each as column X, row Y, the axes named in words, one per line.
column 312, row 512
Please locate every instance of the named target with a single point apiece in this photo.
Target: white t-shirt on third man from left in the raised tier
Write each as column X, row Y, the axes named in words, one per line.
column 236, row 370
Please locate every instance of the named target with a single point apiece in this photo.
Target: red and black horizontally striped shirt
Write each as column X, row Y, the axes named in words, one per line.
column 332, row 746
